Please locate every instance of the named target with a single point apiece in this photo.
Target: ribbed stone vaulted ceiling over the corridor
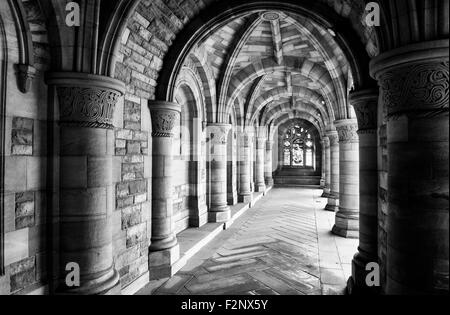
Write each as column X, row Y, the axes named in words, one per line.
column 271, row 62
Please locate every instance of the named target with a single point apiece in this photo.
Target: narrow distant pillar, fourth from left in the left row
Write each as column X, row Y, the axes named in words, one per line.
column 245, row 191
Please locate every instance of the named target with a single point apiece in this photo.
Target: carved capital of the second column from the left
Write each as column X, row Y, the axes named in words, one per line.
column 164, row 115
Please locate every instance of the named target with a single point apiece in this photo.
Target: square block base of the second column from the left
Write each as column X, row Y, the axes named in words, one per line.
column 161, row 263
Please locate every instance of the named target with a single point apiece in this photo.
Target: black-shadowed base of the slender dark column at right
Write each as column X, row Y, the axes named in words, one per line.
column 356, row 284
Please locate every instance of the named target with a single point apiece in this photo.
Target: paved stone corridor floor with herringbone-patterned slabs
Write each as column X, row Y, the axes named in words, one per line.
column 283, row 245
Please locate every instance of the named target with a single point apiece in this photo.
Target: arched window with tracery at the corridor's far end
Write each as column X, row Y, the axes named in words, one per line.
column 298, row 146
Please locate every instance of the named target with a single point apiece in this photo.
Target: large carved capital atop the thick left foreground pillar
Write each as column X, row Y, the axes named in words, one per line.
column 86, row 100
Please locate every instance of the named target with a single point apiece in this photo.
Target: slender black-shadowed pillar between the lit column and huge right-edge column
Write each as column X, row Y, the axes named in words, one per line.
column 365, row 103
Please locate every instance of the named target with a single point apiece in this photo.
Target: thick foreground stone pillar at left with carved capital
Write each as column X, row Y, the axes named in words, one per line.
column 87, row 104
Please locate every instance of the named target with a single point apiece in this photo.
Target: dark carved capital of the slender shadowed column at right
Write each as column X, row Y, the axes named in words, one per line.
column 365, row 103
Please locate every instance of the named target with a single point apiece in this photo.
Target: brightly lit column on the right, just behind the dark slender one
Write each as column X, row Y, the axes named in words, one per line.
column 347, row 218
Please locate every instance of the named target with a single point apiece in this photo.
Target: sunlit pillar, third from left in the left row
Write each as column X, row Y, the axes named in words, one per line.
column 217, row 139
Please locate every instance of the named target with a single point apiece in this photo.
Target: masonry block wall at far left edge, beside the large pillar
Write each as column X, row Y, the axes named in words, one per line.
column 26, row 159
